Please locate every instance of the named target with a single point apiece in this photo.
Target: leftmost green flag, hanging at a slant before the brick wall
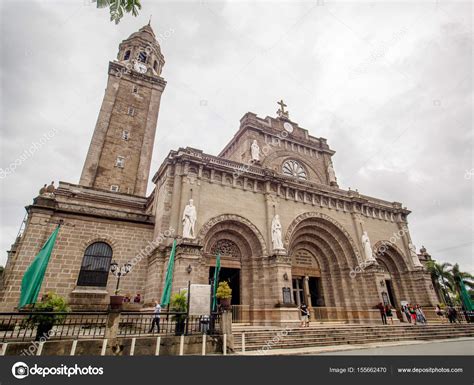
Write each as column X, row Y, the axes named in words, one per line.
column 33, row 277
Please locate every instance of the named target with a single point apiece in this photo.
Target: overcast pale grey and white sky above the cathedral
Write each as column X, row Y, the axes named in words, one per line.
column 388, row 84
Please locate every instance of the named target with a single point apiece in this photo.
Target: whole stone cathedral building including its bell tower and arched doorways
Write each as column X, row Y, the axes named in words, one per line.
column 269, row 203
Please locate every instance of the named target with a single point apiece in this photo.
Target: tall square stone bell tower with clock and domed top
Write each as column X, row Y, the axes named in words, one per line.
column 120, row 151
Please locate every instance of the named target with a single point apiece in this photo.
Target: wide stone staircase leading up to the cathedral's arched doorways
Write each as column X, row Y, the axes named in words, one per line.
column 332, row 335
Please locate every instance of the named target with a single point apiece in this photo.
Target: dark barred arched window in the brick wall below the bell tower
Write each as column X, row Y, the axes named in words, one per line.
column 95, row 265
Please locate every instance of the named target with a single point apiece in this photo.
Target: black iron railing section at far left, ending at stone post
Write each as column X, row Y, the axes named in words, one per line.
column 42, row 326
